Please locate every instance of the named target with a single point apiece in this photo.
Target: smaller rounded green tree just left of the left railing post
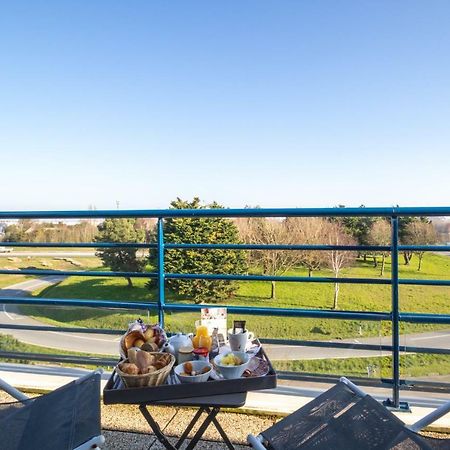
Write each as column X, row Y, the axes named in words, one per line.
column 122, row 259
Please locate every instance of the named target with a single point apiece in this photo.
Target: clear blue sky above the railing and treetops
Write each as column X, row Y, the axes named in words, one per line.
column 270, row 103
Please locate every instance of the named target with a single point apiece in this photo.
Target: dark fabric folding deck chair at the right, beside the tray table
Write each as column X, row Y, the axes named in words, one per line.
column 345, row 418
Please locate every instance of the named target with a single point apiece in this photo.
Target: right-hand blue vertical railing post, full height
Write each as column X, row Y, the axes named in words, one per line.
column 395, row 315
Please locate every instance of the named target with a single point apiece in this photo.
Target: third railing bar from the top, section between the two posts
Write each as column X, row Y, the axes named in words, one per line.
column 193, row 276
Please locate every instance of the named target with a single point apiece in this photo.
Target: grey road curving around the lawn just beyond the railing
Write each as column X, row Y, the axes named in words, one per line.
column 105, row 344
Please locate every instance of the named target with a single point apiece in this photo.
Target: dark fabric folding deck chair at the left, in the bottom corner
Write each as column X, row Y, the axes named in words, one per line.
column 66, row 419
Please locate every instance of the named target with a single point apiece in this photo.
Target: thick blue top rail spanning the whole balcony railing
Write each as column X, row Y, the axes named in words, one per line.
column 243, row 212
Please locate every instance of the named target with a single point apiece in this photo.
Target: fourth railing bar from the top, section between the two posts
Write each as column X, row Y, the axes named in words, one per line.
column 284, row 312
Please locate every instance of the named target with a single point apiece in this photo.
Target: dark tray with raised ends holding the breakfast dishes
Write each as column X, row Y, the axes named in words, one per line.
column 115, row 392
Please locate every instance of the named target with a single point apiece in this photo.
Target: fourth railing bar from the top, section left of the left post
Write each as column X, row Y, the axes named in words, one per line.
column 108, row 304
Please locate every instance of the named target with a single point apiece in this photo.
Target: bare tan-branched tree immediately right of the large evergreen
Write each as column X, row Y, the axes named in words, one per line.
column 264, row 231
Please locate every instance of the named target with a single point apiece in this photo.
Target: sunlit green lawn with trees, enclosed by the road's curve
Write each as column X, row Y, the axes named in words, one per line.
column 429, row 299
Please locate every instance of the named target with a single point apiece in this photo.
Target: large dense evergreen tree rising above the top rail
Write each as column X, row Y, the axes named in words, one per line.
column 199, row 230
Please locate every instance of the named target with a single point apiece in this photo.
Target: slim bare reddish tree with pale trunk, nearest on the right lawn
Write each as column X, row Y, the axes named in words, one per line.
column 337, row 259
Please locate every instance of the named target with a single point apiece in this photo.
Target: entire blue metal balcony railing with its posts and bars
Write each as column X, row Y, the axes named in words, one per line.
column 160, row 305
